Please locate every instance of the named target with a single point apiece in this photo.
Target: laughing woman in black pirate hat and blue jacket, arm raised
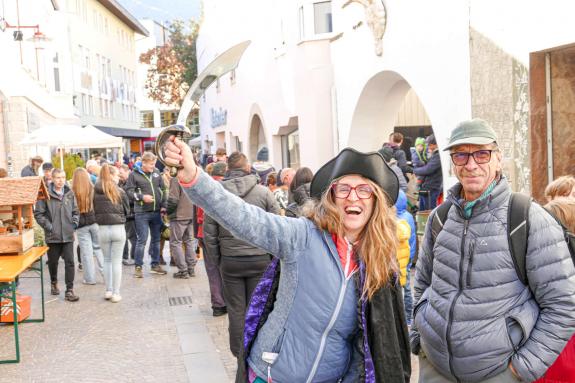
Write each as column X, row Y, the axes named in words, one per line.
column 336, row 312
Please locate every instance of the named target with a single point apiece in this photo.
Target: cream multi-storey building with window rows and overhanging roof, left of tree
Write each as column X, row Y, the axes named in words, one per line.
column 104, row 64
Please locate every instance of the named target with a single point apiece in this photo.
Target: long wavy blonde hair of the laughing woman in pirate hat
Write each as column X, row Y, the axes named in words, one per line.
column 377, row 243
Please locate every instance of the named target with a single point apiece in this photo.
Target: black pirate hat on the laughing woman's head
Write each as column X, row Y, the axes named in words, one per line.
column 350, row 161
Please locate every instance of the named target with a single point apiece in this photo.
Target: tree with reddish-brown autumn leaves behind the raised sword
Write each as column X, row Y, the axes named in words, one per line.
column 173, row 66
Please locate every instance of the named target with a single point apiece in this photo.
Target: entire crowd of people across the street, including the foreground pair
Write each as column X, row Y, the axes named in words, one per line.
column 314, row 270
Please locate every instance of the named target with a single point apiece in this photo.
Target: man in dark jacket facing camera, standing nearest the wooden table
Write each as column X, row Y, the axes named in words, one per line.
column 59, row 216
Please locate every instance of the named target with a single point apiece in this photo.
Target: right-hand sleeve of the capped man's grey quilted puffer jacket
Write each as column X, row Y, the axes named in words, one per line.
column 551, row 276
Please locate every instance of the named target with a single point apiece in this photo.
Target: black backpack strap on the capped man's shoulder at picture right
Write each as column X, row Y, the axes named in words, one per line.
column 518, row 232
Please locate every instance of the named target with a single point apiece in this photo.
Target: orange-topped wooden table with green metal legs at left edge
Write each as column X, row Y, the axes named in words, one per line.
column 11, row 266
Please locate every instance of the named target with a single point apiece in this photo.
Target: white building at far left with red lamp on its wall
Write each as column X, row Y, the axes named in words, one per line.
column 34, row 90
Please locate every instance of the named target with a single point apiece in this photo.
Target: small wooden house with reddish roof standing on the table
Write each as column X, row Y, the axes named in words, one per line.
column 17, row 199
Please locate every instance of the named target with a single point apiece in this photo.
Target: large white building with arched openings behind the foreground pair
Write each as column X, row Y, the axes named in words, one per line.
column 323, row 75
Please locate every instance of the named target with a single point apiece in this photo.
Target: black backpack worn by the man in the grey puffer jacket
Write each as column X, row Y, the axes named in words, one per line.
column 517, row 230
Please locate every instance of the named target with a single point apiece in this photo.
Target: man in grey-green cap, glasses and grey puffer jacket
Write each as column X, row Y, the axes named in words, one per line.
column 475, row 318
